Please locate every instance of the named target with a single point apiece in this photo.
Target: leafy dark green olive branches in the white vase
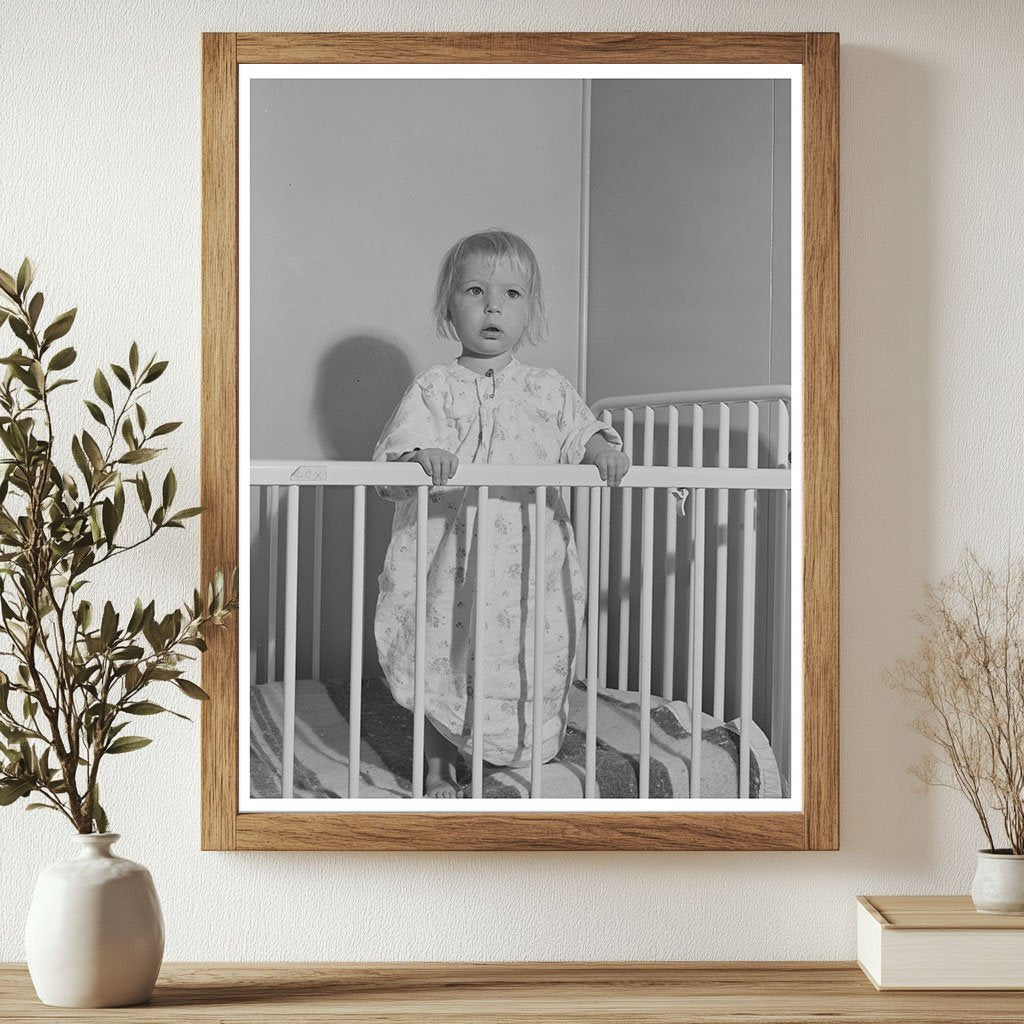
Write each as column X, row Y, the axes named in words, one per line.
column 80, row 675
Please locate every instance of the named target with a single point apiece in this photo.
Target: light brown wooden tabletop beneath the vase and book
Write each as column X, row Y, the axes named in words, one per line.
column 527, row 994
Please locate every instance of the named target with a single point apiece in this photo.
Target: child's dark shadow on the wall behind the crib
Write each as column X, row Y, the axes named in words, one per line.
column 359, row 383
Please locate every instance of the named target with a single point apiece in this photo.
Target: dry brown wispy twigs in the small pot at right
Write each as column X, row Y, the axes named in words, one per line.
column 967, row 684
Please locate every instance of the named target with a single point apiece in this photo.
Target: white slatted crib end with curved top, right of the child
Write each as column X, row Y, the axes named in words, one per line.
column 762, row 415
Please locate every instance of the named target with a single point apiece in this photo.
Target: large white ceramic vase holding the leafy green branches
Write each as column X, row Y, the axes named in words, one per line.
column 96, row 935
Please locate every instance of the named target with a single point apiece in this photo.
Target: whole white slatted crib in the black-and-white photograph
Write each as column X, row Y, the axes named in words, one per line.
column 681, row 446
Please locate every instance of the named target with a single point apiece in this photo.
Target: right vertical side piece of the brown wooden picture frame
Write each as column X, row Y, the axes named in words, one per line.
column 822, row 441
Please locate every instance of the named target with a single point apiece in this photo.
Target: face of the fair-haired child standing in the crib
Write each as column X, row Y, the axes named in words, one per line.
column 490, row 308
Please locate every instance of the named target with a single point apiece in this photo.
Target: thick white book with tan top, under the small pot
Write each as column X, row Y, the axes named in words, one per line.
column 938, row 943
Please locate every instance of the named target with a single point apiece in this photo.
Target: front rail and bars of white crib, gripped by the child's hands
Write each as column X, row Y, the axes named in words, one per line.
column 671, row 481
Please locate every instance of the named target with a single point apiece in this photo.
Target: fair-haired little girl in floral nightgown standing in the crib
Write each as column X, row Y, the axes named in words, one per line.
column 485, row 406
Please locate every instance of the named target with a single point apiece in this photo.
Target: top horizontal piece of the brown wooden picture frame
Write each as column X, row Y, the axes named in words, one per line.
column 532, row 48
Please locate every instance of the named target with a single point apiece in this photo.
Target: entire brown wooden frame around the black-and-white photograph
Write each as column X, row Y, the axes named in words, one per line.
column 816, row 827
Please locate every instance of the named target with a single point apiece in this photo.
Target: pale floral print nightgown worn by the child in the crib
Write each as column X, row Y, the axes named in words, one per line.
column 519, row 415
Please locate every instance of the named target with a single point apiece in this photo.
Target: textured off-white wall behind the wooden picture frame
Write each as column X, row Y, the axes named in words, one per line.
column 101, row 184
